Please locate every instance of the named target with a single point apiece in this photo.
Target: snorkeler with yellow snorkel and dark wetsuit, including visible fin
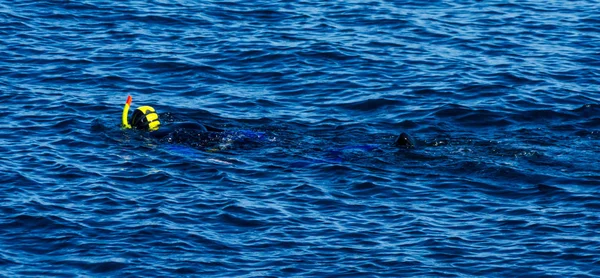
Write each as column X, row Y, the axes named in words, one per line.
column 145, row 118
